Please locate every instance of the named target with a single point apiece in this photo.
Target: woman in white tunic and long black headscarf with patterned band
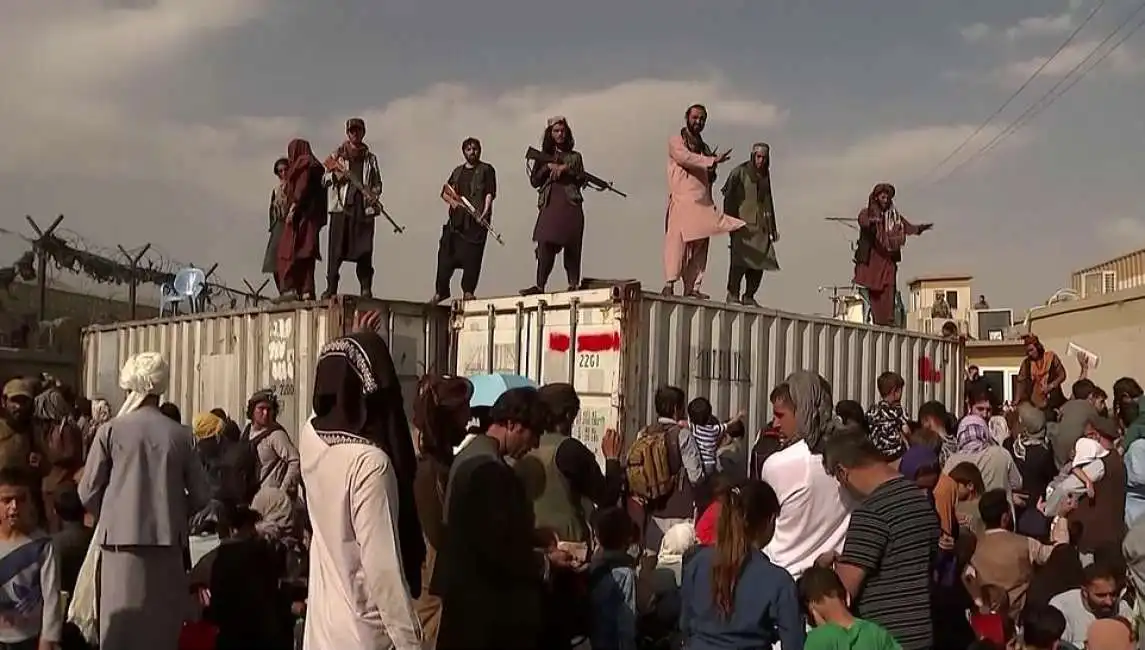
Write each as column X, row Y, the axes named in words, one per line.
column 359, row 466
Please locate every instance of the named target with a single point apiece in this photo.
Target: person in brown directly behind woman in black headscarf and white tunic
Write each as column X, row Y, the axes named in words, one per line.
column 441, row 415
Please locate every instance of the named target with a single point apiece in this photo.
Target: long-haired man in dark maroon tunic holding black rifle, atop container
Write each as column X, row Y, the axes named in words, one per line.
column 560, row 204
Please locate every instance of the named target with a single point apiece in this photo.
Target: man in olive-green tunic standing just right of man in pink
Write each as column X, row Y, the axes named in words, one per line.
column 748, row 196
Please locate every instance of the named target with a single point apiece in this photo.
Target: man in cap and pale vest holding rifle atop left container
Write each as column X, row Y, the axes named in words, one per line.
column 352, row 216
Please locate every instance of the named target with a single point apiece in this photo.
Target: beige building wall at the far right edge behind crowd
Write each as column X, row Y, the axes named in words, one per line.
column 1112, row 327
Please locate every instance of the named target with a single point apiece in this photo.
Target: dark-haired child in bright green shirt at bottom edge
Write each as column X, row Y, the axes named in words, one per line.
column 826, row 601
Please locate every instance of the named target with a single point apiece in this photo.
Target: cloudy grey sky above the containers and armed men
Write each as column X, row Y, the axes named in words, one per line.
column 159, row 121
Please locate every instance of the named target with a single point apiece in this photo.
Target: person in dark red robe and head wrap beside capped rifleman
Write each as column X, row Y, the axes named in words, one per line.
column 306, row 215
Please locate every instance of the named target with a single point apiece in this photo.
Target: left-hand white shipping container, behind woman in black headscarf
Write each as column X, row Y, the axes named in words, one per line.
column 219, row 360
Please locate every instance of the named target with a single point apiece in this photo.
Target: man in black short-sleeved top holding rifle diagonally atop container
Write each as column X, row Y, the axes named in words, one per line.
column 463, row 239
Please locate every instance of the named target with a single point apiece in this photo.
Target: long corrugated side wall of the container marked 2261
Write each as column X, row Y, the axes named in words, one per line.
column 736, row 355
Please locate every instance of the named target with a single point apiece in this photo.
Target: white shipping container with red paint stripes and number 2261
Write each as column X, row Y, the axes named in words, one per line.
column 619, row 345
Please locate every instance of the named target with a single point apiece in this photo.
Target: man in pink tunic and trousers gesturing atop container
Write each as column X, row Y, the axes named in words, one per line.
column 692, row 215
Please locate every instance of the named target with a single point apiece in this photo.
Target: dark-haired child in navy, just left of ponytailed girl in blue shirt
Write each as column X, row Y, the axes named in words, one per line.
column 613, row 583
